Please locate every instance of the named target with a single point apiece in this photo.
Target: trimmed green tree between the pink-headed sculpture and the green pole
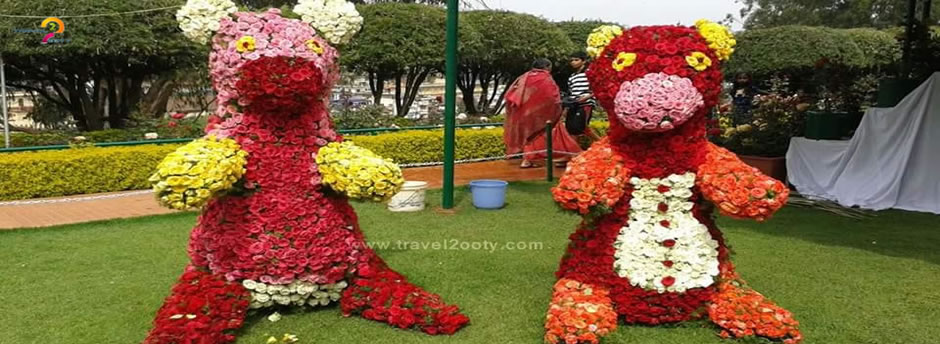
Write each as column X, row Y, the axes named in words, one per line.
column 401, row 43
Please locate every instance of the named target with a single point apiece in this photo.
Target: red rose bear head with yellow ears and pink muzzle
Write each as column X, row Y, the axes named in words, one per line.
column 654, row 79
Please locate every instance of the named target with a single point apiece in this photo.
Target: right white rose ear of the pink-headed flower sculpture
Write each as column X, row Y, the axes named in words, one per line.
column 335, row 20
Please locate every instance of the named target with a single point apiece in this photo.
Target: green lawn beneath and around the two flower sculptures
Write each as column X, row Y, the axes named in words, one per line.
column 847, row 281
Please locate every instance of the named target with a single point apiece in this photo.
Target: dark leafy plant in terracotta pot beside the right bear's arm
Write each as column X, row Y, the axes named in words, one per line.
column 762, row 141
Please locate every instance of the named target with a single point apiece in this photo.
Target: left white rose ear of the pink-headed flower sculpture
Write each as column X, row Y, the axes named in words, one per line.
column 199, row 19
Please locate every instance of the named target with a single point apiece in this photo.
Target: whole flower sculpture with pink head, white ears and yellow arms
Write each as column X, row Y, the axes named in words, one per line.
column 273, row 180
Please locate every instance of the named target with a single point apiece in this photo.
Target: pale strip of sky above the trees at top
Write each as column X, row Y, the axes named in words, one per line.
column 627, row 12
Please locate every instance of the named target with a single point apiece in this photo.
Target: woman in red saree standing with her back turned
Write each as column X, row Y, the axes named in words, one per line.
column 532, row 100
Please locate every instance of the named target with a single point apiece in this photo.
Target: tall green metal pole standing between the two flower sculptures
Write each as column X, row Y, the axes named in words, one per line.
column 450, row 103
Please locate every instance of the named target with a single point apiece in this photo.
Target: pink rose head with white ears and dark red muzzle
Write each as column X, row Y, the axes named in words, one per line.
column 266, row 62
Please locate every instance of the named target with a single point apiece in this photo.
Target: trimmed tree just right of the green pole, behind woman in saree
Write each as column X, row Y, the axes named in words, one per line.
column 505, row 47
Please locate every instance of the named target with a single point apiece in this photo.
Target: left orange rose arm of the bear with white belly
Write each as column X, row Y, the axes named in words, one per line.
column 593, row 182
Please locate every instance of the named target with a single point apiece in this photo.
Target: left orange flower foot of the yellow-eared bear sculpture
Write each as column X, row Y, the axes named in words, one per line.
column 579, row 313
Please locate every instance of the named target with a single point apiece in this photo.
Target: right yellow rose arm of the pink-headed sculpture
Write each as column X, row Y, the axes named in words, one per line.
column 358, row 172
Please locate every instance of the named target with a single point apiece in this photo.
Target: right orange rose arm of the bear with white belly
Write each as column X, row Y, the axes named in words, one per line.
column 738, row 189
